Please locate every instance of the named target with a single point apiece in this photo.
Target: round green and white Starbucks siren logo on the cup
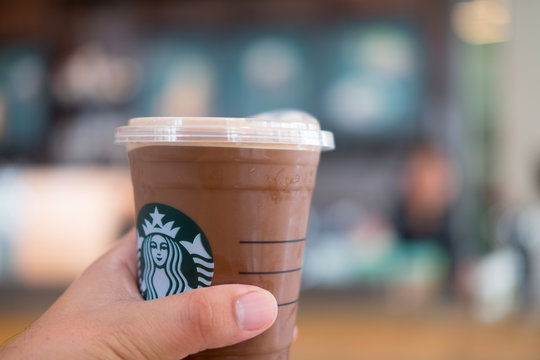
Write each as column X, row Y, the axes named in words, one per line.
column 174, row 254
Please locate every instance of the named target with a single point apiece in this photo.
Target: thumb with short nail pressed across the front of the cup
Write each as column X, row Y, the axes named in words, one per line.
column 179, row 325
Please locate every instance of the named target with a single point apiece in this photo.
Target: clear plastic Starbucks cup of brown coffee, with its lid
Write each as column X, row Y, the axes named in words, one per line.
column 225, row 201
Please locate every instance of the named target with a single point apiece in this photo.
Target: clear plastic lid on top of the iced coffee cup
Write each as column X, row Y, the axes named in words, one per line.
column 292, row 128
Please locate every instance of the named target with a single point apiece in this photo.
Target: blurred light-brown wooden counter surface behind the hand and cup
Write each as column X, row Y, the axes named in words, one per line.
column 343, row 330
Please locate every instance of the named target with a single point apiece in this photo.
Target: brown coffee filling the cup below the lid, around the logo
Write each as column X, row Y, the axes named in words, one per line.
column 253, row 205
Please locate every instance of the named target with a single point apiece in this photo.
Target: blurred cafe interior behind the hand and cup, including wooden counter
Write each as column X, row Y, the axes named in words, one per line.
column 424, row 238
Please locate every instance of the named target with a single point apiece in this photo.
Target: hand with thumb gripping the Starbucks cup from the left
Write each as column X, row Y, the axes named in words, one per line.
column 103, row 316
